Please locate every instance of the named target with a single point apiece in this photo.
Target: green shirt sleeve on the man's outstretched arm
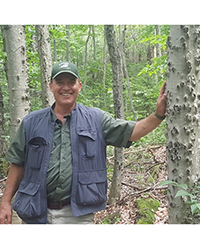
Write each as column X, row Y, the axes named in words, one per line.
column 117, row 132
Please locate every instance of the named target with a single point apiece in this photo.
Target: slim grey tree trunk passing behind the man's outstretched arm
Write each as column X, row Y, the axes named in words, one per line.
column 116, row 61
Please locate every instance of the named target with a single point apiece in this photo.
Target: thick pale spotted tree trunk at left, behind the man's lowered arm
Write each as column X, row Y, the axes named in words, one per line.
column 16, row 72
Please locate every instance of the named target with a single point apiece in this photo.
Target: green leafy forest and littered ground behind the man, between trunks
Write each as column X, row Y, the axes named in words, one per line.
column 145, row 52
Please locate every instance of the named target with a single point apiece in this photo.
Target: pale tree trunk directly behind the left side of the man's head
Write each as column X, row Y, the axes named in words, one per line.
column 44, row 51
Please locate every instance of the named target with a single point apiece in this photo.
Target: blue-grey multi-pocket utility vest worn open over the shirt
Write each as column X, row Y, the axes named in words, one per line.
column 89, row 182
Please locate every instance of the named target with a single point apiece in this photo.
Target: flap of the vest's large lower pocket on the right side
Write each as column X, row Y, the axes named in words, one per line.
column 93, row 177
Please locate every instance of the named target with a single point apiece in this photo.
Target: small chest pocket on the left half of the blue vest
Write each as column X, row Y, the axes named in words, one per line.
column 36, row 148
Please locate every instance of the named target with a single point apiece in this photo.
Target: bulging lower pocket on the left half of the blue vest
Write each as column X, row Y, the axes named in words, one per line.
column 28, row 200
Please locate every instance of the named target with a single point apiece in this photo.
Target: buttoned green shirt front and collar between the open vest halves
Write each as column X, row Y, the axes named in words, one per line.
column 59, row 173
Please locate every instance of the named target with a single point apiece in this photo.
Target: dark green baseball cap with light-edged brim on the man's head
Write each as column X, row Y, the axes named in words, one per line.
column 64, row 67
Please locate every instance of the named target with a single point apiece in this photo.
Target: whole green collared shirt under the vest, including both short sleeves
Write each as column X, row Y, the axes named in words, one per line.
column 116, row 132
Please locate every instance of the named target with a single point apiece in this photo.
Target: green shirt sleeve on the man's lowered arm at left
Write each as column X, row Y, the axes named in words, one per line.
column 16, row 151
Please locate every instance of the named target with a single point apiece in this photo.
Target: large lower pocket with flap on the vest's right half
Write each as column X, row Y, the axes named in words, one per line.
column 92, row 188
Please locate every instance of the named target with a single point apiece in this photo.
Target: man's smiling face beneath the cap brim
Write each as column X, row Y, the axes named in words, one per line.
column 65, row 88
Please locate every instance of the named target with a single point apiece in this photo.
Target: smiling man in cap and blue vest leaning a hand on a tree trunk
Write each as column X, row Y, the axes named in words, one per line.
column 58, row 157
